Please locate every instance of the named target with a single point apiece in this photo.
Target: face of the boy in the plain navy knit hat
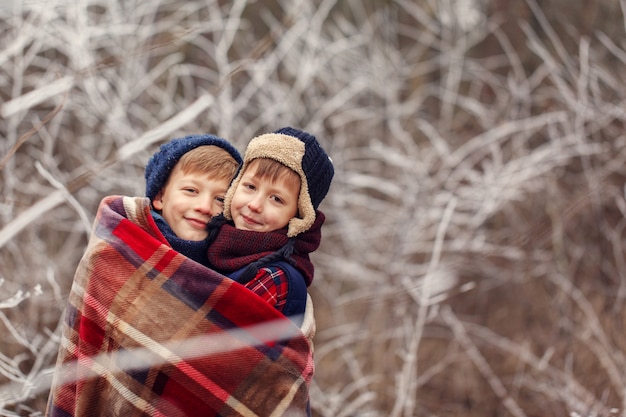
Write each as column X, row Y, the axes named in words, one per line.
column 188, row 201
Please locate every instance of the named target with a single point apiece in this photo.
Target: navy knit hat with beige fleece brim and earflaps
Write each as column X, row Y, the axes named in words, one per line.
column 300, row 152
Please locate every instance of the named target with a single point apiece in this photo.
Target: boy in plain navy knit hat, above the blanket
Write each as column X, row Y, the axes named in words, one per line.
column 186, row 182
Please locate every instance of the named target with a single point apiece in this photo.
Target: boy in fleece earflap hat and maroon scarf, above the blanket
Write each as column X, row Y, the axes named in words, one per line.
column 271, row 222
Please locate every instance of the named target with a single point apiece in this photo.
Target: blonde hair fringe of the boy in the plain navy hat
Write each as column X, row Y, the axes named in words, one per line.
column 211, row 160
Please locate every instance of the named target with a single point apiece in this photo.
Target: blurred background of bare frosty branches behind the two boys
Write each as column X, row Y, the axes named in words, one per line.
column 473, row 261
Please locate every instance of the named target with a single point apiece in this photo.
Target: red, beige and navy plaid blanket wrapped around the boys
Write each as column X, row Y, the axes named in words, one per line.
column 149, row 332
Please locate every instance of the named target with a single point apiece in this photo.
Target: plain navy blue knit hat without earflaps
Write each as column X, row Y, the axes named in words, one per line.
column 161, row 163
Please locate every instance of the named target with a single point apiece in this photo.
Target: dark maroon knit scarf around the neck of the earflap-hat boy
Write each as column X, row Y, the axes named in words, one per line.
column 234, row 249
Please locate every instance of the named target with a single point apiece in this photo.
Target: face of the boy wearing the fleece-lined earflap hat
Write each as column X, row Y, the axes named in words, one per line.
column 262, row 205
